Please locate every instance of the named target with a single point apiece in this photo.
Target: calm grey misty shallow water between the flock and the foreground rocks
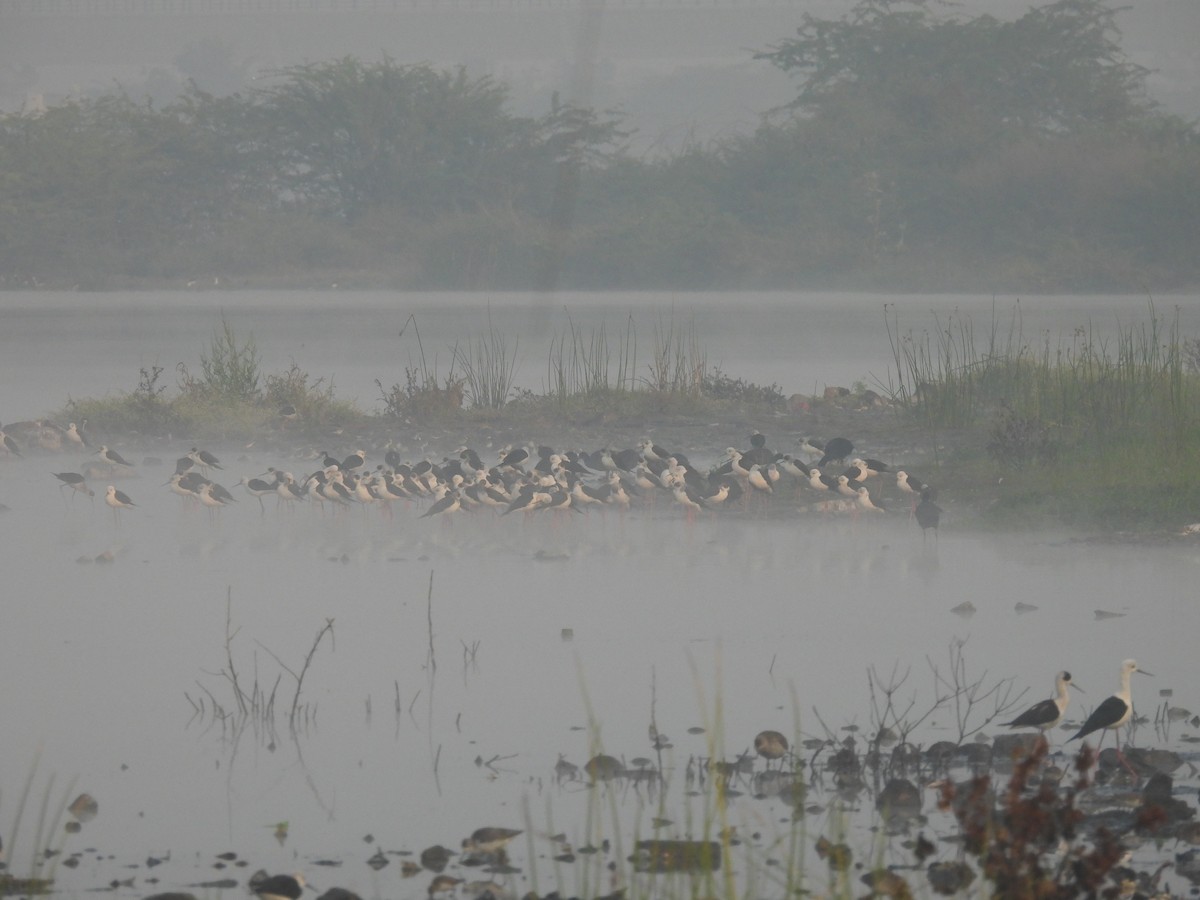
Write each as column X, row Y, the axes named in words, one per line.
column 736, row 625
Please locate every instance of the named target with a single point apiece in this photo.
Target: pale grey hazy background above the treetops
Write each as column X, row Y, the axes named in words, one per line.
column 680, row 70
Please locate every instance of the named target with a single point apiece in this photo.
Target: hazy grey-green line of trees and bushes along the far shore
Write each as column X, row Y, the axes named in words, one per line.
column 921, row 153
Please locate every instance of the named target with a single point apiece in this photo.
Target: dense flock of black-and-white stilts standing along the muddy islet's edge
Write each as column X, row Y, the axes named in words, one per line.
column 527, row 479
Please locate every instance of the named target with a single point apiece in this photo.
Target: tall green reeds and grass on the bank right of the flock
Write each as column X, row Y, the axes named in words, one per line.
column 1081, row 419
